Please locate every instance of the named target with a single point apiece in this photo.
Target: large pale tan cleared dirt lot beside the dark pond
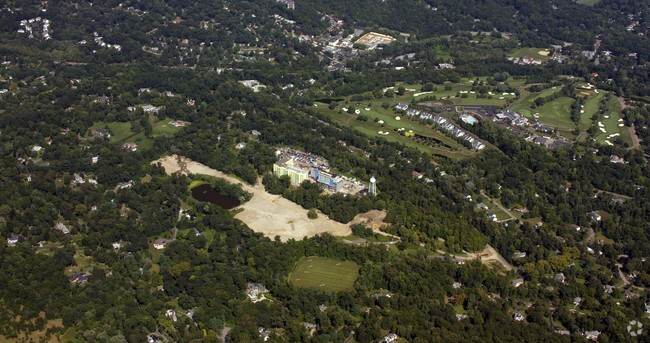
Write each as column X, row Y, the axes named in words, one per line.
column 269, row 214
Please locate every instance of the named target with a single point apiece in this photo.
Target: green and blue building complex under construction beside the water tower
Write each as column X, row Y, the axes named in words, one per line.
column 300, row 166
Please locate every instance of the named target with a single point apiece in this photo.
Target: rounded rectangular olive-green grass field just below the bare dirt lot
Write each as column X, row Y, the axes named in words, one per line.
column 323, row 273
